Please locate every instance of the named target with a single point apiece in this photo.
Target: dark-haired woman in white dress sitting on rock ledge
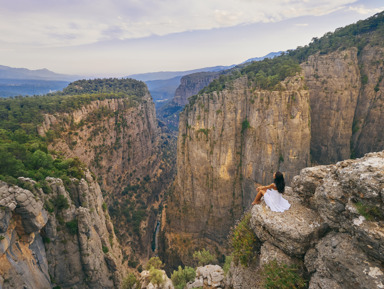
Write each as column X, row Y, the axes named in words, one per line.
column 273, row 194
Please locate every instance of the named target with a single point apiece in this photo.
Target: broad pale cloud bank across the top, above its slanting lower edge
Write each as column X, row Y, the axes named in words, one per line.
column 76, row 22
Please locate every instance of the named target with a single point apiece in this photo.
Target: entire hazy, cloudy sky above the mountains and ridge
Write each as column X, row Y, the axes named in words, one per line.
column 121, row 37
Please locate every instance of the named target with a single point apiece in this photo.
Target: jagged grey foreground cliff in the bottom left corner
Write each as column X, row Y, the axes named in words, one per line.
column 64, row 238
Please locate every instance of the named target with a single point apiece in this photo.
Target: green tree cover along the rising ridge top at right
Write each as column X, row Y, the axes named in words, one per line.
column 268, row 73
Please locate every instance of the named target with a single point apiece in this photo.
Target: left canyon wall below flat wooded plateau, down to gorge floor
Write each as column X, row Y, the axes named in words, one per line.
column 121, row 143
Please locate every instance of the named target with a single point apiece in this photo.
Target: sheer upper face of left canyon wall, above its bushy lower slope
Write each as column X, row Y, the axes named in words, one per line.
column 113, row 137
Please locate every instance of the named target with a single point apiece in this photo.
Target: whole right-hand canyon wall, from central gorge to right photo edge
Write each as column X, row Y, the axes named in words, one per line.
column 232, row 139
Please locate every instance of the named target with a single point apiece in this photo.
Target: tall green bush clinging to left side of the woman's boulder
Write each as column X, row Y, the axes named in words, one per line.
column 244, row 242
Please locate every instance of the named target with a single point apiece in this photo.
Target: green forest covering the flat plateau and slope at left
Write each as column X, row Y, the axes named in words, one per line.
column 25, row 153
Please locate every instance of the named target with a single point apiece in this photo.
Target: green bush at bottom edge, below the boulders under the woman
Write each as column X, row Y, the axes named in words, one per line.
column 281, row 276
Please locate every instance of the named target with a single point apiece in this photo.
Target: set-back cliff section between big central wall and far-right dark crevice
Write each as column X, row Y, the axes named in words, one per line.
column 333, row 81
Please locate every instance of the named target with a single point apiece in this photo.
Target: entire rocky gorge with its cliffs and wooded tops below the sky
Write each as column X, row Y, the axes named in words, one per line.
column 89, row 173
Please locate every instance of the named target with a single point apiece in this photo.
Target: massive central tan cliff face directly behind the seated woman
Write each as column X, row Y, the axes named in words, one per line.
column 229, row 140
